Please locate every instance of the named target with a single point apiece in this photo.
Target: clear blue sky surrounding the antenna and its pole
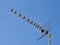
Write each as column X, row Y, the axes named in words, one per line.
column 15, row 31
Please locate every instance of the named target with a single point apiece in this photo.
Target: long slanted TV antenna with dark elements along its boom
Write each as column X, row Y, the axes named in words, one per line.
column 37, row 26
